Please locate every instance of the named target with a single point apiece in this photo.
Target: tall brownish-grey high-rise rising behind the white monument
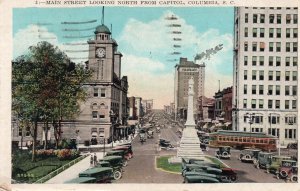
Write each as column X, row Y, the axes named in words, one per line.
column 183, row 72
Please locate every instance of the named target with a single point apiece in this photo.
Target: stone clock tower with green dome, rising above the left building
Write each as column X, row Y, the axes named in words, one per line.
column 101, row 55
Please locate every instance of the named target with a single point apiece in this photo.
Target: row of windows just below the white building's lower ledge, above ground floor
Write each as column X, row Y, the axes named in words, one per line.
column 289, row 120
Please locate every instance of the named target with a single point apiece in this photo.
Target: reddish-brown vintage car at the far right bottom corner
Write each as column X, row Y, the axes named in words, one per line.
column 287, row 169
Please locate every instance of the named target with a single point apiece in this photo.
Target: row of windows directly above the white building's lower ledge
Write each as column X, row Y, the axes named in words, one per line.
column 259, row 104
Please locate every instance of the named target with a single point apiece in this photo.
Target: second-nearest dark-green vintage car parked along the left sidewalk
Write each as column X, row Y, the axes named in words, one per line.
column 101, row 174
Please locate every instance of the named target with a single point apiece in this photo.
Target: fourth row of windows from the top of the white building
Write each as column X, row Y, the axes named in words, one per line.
column 260, row 60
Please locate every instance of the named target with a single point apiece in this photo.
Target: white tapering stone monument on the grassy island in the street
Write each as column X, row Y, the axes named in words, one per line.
column 189, row 143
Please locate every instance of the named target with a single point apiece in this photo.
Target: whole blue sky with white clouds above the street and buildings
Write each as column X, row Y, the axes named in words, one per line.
column 144, row 38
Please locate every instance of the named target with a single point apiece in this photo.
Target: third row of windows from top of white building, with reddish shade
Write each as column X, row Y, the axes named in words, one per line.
column 289, row 46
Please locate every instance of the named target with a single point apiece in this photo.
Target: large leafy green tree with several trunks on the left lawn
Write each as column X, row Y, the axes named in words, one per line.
column 44, row 82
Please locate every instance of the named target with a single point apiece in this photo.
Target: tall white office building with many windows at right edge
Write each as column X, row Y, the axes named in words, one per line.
column 265, row 71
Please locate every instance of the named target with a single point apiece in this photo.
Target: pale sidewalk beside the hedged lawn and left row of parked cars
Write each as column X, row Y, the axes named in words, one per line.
column 82, row 165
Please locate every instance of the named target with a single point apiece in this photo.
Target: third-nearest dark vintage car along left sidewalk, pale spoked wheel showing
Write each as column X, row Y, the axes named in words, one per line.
column 115, row 162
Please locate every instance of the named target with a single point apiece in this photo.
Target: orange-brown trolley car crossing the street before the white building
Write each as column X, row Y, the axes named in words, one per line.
column 241, row 140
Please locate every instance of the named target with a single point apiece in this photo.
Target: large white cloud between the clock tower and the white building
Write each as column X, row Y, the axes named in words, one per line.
column 139, row 38
